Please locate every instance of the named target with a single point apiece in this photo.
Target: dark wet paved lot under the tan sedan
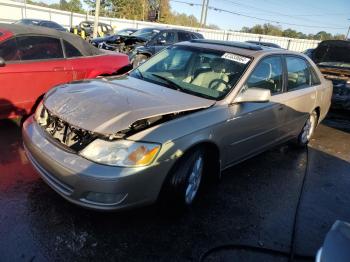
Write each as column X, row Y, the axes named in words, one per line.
column 254, row 205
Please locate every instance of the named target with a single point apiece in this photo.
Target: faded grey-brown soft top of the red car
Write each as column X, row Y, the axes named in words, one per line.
column 18, row 29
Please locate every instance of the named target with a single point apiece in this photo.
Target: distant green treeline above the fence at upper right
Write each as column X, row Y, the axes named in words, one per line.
column 268, row 29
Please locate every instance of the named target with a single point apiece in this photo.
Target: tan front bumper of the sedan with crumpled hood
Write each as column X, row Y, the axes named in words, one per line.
column 74, row 177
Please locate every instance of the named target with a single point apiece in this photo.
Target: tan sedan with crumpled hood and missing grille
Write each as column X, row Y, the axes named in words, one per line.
column 180, row 118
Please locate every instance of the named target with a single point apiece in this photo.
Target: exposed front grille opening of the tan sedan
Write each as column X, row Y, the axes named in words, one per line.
column 69, row 136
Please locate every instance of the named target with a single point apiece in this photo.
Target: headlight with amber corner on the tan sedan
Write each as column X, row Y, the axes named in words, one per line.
column 122, row 153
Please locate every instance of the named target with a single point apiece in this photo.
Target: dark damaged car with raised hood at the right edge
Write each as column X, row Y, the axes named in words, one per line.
column 333, row 59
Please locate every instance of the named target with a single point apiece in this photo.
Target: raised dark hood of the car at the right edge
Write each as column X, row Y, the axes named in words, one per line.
column 332, row 51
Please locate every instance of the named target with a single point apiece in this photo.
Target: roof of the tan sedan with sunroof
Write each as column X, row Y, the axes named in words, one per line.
column 242, row 48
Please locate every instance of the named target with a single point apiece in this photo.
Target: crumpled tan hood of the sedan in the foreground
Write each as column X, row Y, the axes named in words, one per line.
column 107, row 107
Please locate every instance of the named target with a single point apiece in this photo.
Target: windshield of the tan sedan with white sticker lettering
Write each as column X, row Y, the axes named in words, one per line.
column 201, row 72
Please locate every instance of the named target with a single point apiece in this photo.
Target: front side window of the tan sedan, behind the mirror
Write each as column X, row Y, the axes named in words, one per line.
column 268, row 74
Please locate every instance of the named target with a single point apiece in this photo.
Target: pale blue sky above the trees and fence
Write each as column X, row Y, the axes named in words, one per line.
column 307, row 16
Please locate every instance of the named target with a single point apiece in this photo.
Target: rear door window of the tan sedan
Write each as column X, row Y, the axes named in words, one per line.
column 299, row 75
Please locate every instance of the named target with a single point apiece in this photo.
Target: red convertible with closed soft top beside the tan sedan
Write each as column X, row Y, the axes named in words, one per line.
column 33, row 59
